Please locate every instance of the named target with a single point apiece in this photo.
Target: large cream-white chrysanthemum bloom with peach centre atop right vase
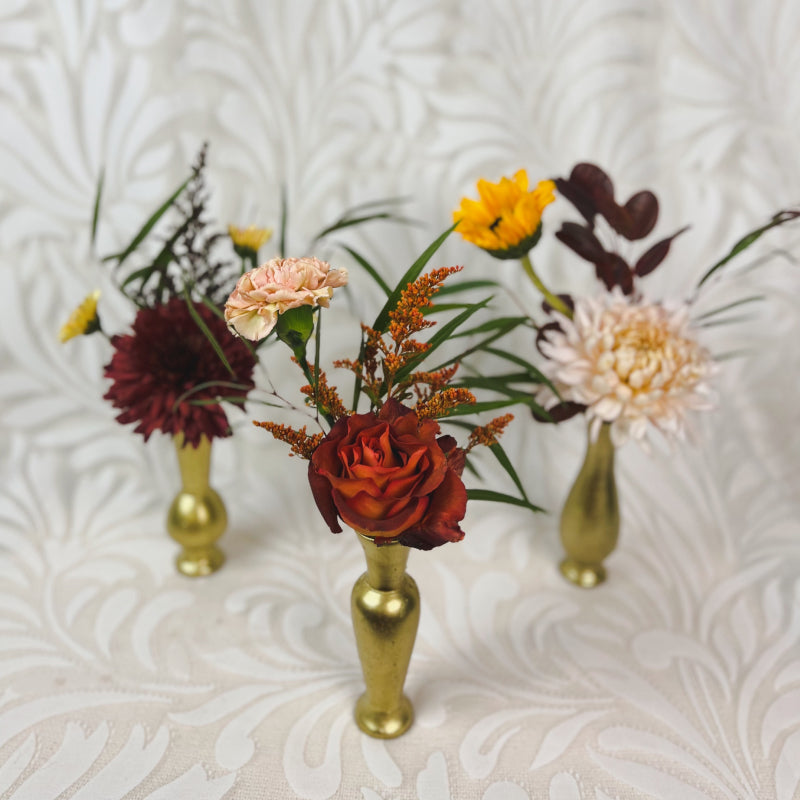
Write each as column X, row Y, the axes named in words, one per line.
column 630, row 363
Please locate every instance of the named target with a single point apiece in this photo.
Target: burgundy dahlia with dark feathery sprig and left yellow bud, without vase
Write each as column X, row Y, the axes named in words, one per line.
column 178, row 364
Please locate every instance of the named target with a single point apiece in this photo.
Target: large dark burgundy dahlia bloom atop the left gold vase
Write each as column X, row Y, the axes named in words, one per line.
column 166, row 356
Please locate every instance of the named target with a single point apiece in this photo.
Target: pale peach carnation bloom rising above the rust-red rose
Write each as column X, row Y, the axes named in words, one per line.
column 265, row 292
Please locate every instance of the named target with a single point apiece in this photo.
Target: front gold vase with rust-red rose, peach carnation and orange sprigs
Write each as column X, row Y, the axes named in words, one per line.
column 387, row 472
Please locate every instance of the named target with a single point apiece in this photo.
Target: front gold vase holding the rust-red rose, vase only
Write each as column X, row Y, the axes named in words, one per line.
column 385, row 608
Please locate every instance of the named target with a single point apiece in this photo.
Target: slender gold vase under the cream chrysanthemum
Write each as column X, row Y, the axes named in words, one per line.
column 590, row 519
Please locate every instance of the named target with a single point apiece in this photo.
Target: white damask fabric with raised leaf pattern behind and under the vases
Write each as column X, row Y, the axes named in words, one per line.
column 679, row 678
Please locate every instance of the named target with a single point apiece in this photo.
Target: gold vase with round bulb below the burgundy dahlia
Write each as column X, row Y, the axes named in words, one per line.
column 197, row 516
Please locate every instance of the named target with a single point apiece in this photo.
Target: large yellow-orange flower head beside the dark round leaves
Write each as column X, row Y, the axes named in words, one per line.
column 506, row 221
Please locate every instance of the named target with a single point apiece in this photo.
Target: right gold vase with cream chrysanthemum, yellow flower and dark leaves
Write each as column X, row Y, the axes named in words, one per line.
column 628, row 364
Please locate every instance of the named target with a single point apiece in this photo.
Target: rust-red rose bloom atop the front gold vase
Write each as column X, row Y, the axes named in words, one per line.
column 390, row 476
